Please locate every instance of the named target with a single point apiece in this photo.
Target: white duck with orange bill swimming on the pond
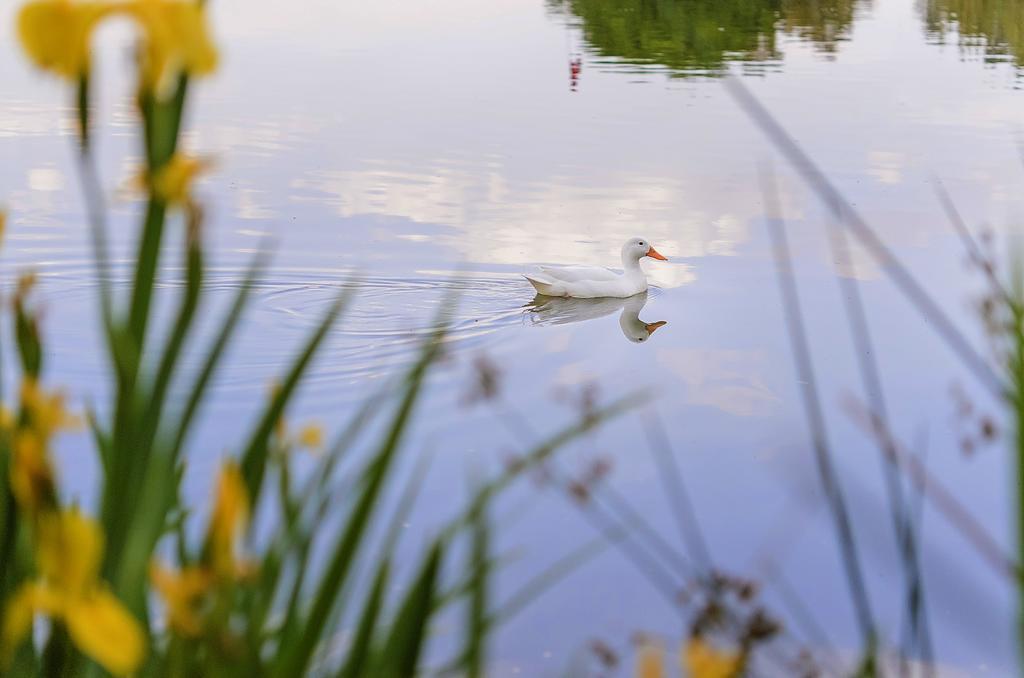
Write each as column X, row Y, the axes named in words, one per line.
column 592, row 282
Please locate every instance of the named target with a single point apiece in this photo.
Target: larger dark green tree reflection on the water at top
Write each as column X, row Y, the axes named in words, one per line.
column 701, row 37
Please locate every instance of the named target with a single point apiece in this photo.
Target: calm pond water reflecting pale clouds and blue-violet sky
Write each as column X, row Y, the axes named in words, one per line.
column 432, row 148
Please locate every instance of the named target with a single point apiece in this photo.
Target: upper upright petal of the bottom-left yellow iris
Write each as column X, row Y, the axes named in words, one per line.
column 69, row 553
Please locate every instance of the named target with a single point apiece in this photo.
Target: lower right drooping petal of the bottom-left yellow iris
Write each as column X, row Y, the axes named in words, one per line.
column 105, row 630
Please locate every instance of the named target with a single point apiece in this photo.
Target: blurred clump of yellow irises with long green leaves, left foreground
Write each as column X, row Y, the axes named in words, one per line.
column 121, row 587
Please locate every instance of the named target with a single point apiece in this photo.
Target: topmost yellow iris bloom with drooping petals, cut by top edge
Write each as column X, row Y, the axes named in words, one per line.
column 56, row 35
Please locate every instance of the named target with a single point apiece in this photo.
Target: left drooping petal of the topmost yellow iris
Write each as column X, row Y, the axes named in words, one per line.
column 56, row 33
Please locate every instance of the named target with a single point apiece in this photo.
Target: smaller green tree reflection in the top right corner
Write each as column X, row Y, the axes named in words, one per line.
column 994, row 29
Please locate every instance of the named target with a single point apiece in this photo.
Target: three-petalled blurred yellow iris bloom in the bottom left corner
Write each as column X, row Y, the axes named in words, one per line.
column 69, row 553
